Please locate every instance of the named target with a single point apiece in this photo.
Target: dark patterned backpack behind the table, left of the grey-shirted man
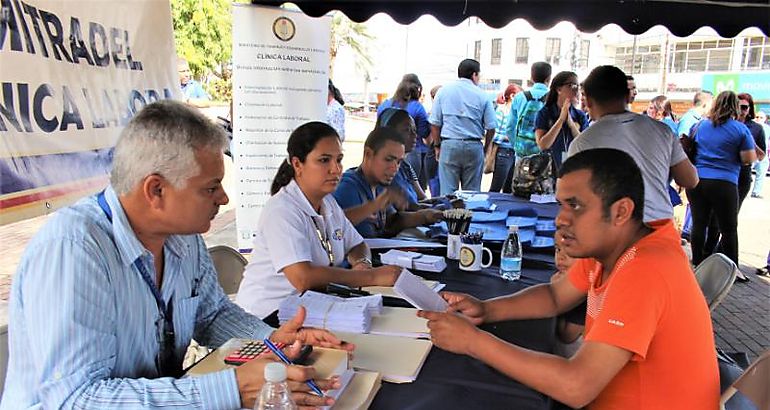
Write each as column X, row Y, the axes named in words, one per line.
column 534, row 175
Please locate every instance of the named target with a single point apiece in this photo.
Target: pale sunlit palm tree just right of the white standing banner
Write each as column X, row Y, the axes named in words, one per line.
column 354, row 35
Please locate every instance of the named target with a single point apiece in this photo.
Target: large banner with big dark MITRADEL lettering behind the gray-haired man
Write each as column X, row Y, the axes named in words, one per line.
column 73, row 74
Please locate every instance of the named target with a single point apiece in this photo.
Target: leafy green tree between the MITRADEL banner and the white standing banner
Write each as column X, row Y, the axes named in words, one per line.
column 203, row 36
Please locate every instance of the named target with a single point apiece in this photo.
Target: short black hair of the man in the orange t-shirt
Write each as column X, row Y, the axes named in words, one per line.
column 614, row 175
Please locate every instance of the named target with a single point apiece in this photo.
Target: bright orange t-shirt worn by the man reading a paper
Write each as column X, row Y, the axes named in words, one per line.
column 652, row 306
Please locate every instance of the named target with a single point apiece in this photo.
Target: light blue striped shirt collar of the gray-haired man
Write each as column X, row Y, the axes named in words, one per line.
column 129, row 246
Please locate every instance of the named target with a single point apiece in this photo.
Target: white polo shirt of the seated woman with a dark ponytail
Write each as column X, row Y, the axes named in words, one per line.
column 287, row 235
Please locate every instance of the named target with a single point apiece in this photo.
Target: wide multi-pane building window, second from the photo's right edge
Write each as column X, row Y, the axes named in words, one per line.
column 693, row 56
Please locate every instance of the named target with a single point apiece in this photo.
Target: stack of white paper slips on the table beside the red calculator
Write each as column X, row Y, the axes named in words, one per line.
column 332, row 312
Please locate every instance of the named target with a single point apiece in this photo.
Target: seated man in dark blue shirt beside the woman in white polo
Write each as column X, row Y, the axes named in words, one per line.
column 371, row 202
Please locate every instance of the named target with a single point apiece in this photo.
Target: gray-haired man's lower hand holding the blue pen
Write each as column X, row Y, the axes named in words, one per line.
column 250, row 377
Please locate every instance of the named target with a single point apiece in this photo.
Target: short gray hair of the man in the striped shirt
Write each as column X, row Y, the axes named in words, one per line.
column 162, row 139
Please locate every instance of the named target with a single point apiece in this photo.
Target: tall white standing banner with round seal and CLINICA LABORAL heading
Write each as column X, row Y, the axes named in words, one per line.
column 280, row 64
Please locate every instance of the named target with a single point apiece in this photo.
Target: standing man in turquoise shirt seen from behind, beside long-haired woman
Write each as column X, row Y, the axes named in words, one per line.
column 522, row 136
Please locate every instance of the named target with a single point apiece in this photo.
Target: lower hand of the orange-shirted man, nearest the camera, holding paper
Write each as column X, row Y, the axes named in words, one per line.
column 450, row 331
